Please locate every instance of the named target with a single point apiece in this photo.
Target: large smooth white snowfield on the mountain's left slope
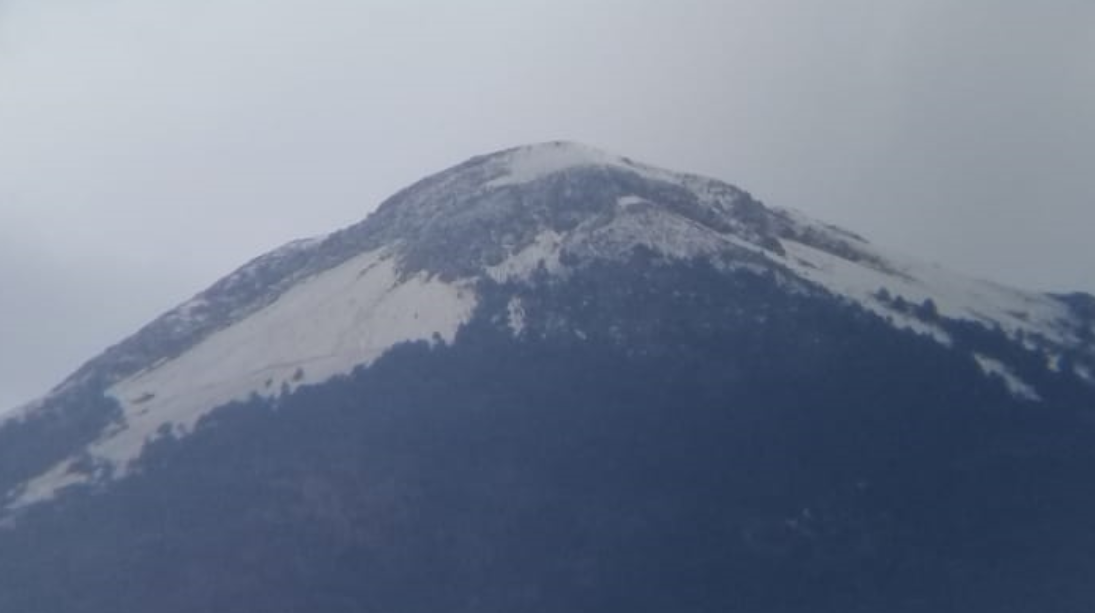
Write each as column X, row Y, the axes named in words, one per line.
column 322, row 328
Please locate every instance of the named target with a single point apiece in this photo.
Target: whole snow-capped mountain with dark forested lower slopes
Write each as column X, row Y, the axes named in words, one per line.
column 557, row 379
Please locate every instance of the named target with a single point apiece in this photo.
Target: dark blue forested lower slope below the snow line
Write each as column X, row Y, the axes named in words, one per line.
column 658, row 436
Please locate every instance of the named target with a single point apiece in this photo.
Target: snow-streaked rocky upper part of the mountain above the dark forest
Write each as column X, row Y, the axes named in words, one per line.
column 320, row 308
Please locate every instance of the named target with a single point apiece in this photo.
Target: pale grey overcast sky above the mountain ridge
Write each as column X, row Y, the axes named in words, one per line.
column 148, row 148
